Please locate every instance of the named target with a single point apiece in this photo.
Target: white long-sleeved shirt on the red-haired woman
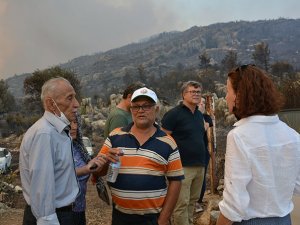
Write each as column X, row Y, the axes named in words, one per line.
column 262, row 169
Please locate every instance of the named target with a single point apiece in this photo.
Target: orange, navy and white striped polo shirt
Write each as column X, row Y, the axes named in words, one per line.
column 141, row 185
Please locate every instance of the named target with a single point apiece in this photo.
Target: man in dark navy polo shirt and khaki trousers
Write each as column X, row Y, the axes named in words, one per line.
column 186, row 125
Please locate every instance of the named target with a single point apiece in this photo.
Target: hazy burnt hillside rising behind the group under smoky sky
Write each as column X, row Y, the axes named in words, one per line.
column 102, row 72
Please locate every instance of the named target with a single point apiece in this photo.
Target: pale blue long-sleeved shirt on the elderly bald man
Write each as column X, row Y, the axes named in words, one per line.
column 47, row 169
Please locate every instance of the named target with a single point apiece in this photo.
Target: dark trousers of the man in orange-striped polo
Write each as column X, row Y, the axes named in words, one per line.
column 119, row 218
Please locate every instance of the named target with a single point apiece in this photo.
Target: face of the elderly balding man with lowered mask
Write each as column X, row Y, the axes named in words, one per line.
column 66, row 101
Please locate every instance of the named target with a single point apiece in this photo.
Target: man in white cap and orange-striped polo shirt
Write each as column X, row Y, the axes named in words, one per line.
column 149, row 180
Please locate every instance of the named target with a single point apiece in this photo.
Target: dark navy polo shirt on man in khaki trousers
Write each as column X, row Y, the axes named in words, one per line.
column 188, row 131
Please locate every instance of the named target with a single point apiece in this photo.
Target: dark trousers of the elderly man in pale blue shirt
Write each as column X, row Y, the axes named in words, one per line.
column 65, row 217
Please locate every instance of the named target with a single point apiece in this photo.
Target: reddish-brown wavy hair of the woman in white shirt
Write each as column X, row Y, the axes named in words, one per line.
column 256, row 94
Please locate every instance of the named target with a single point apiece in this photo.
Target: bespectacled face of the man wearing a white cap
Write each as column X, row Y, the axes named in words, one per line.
column 143, row 112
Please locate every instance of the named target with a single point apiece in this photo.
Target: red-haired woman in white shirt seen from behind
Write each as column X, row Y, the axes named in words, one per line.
column 262, row 169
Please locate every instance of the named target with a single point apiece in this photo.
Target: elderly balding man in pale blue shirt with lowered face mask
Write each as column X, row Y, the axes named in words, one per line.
column 46, row 162
